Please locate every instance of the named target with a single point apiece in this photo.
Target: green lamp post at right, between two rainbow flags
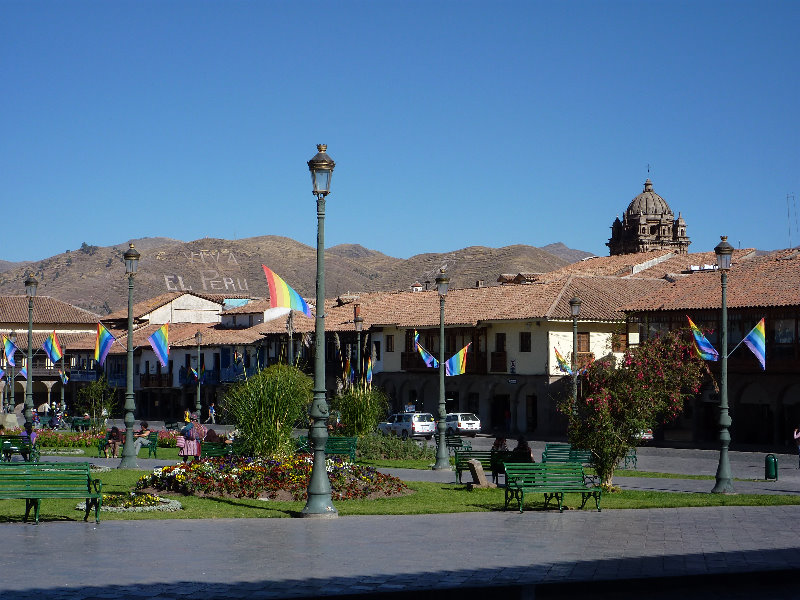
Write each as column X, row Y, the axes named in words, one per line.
column 724, row 484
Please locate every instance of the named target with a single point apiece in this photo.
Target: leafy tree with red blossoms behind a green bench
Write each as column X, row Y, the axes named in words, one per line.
column 621, row 399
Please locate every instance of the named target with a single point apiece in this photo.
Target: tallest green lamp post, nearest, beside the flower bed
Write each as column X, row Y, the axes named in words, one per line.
column 319, row 503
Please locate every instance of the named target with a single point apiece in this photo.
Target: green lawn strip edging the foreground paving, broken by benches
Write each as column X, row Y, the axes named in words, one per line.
column 427, row 498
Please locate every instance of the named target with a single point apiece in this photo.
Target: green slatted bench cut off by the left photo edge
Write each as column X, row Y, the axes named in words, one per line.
column 33, row 482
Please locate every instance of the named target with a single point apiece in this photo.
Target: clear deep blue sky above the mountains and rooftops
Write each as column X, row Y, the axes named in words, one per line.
column 452, row 123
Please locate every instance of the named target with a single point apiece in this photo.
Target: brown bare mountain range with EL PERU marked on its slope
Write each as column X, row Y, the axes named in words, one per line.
column 93, row 277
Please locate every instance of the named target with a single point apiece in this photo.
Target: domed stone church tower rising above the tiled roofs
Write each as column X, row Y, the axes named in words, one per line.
column 648, row 224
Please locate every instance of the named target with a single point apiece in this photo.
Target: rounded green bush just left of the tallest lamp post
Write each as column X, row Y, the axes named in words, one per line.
column 266, row 407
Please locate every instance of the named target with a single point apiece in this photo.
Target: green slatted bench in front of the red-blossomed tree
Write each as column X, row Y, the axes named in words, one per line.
column 551, row 479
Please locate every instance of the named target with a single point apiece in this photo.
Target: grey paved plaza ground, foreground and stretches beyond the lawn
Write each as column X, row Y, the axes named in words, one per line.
column 724, row 552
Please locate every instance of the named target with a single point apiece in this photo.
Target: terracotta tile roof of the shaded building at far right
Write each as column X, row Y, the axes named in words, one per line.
column 771, row 280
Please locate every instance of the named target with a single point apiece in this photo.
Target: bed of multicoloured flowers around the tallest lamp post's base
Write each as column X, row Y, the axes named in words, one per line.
column 254, row 477
